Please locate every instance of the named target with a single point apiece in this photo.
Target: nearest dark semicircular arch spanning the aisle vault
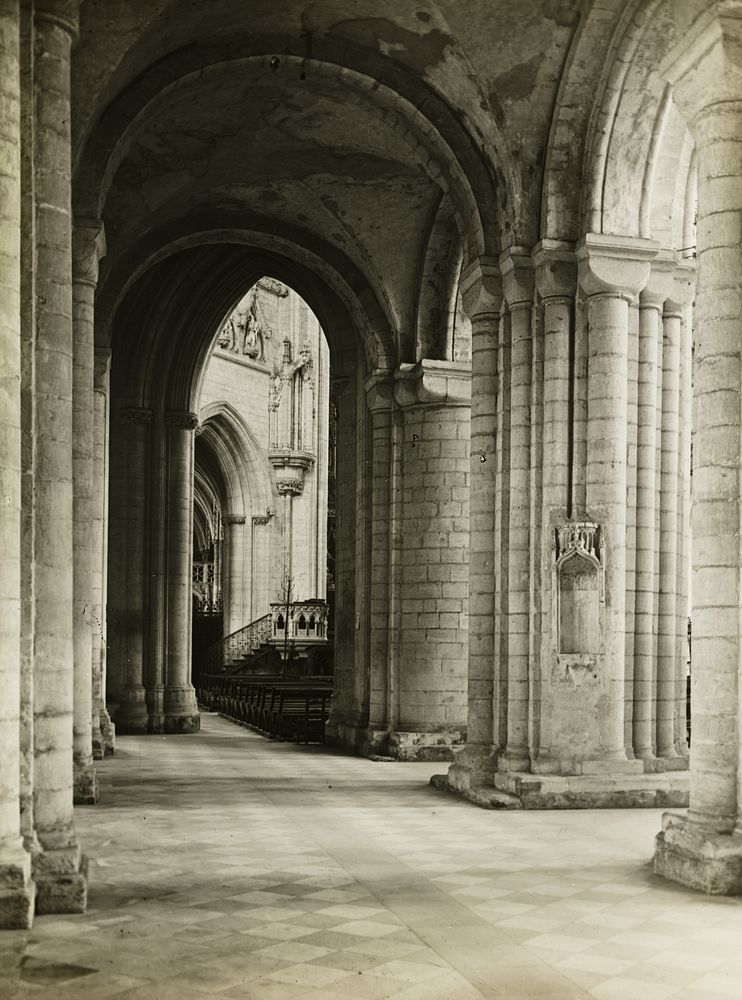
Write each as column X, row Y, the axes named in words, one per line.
column 419, row 115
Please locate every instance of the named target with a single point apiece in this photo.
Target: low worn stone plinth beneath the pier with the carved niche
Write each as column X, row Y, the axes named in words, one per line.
column 597, row 790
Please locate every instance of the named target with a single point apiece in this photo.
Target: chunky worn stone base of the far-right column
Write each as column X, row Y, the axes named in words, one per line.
column 698, row 857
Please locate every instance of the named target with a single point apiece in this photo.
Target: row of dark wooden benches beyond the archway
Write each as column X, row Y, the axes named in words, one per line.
column 278, row 707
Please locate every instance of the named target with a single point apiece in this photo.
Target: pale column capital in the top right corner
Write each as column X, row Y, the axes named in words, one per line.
column 705, row 66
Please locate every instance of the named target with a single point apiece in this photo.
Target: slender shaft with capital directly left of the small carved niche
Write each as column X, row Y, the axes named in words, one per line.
column 556, row 281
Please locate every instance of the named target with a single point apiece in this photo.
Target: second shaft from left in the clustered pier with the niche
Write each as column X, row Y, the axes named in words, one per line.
column 518, row 281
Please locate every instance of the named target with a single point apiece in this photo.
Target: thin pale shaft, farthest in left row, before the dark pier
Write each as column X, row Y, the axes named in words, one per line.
column 104, row 735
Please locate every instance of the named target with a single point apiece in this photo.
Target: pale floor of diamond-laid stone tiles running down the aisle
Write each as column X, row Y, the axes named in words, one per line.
column 226, row 866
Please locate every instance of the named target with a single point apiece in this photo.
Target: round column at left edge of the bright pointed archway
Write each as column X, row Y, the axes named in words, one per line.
column 181, row 710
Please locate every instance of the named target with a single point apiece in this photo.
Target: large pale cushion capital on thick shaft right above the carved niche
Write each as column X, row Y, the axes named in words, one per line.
column 614, row 265
